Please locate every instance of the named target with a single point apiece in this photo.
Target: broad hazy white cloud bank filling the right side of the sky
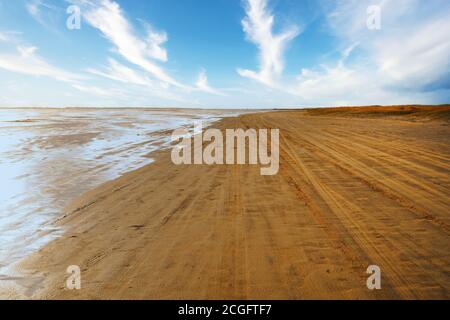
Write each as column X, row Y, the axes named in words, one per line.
column 401, row 63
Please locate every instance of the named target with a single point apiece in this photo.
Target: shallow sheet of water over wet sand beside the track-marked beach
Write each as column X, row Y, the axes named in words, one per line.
column 50, row 156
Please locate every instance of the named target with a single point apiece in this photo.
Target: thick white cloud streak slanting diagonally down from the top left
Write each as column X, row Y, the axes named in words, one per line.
column 107, row 16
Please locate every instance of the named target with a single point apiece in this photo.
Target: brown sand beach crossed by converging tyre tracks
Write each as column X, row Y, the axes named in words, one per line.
column 352, row 191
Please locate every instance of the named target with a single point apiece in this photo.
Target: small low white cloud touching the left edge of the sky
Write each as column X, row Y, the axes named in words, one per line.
column 26, row 61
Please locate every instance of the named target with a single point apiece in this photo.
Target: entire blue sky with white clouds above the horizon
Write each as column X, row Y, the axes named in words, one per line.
column 223, row 53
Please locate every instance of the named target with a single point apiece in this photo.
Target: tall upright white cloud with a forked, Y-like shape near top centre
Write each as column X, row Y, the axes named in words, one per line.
column 258, row 27
